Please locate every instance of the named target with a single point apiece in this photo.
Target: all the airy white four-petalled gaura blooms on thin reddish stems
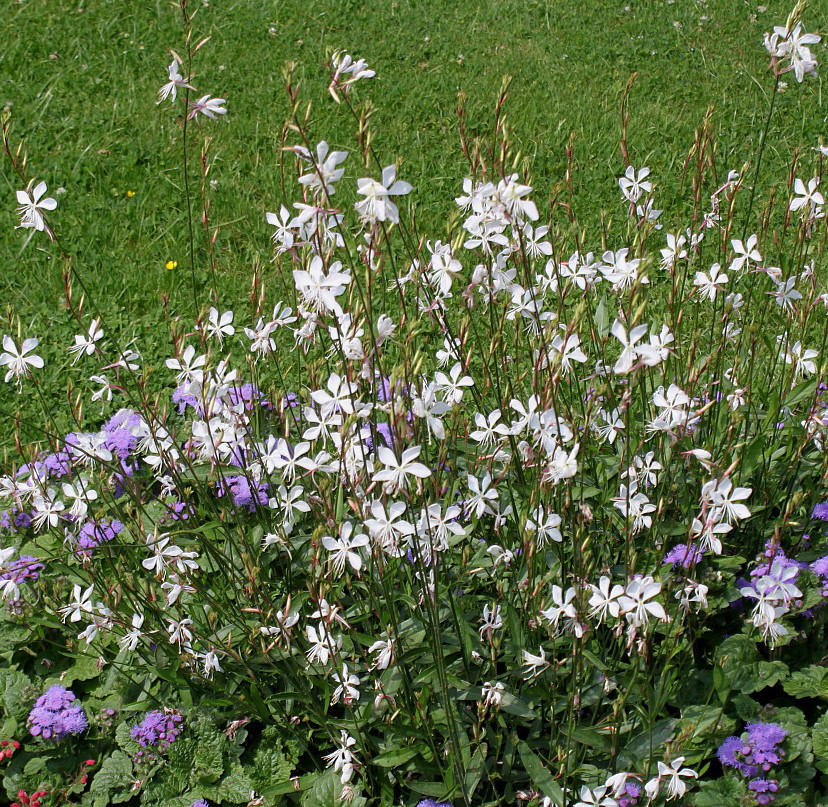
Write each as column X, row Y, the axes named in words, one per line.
column 478, row 419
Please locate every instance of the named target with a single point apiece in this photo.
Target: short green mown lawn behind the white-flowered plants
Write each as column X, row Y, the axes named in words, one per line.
column 81, row 79
